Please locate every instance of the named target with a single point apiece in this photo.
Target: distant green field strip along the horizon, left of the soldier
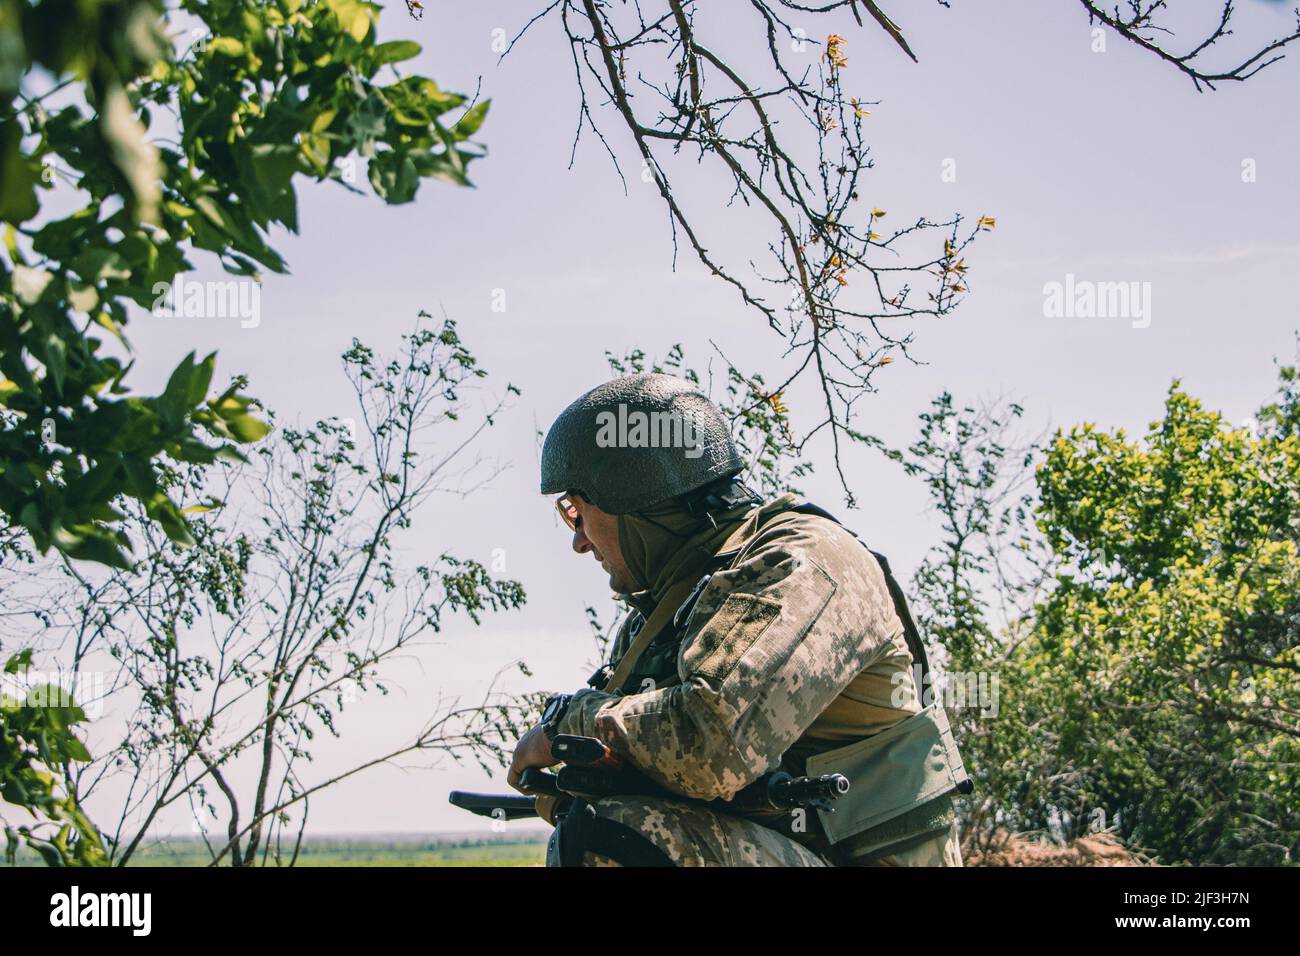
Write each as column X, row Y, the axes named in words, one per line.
column 359, row 851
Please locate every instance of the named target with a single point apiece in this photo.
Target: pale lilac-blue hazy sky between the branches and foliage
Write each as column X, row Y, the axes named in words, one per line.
column 1106, row 166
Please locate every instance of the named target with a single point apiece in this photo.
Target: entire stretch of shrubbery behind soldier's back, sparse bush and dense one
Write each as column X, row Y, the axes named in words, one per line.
column 1142, row 621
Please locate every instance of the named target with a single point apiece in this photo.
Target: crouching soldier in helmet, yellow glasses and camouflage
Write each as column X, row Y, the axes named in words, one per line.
column 762, row 637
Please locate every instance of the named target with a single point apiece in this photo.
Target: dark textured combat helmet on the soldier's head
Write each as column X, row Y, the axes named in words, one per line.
column 638, row 442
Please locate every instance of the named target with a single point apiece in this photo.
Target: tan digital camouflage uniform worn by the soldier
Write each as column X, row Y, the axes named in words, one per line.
column 792, row 648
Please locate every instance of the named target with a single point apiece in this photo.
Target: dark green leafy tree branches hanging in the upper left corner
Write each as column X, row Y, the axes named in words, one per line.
column 170, row 150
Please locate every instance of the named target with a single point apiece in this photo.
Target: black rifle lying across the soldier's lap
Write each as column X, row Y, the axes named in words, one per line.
column 592, row 771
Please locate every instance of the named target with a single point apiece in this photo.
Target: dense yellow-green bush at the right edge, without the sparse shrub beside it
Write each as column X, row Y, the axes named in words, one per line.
column 1175, row 630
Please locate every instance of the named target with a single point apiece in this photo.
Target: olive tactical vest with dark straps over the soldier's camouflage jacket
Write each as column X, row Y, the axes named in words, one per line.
column 903, row 778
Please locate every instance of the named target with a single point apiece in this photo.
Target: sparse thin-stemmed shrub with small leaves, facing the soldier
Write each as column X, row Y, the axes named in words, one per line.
column 235, row 657
